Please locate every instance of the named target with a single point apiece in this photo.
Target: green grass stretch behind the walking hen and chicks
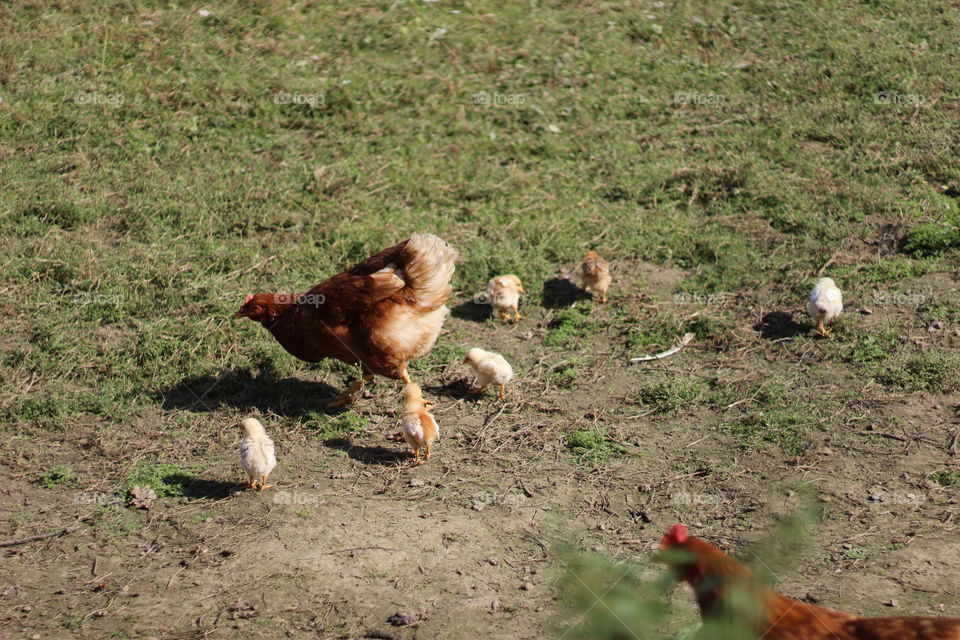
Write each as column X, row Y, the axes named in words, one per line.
column 104, row 223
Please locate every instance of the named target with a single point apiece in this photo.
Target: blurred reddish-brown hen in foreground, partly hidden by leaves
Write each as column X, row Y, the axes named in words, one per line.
column 727, row 592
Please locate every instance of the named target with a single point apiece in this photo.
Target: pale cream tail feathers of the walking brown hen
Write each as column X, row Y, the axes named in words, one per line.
column 428, row 272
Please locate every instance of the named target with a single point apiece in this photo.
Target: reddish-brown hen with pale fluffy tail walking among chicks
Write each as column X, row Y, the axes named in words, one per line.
column 380, row 314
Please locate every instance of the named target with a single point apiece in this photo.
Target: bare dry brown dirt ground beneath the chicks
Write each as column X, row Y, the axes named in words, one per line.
column 352, row 534
